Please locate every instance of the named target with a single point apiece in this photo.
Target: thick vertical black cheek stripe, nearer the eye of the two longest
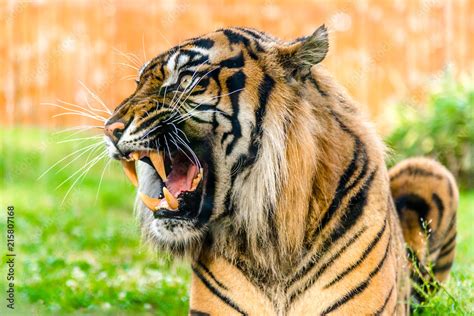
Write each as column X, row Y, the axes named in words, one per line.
column 234, row 84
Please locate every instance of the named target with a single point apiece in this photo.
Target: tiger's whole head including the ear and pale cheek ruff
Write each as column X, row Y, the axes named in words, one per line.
column 208, row 127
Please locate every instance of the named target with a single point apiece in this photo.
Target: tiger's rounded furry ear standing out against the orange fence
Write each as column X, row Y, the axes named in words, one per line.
column 298, row 57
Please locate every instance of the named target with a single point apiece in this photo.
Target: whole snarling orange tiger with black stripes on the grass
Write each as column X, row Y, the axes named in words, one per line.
column 252, row 163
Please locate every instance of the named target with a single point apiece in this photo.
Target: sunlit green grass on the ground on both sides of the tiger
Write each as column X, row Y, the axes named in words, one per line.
column 84, row 255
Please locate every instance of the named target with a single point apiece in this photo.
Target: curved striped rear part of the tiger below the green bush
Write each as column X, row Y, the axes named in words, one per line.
column 426, row 198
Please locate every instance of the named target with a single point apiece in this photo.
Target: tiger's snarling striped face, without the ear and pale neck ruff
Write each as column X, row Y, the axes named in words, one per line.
column 192, row 129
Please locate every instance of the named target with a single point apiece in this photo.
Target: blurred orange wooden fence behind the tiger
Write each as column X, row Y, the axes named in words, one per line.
column 381, row 51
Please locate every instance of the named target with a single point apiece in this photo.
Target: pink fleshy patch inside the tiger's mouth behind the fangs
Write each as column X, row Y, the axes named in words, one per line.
column 181, row 176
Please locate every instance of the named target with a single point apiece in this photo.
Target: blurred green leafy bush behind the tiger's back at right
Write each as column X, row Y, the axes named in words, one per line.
column 442, row 129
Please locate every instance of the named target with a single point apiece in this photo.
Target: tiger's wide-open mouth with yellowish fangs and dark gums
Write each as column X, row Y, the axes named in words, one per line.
column 181, row 179
